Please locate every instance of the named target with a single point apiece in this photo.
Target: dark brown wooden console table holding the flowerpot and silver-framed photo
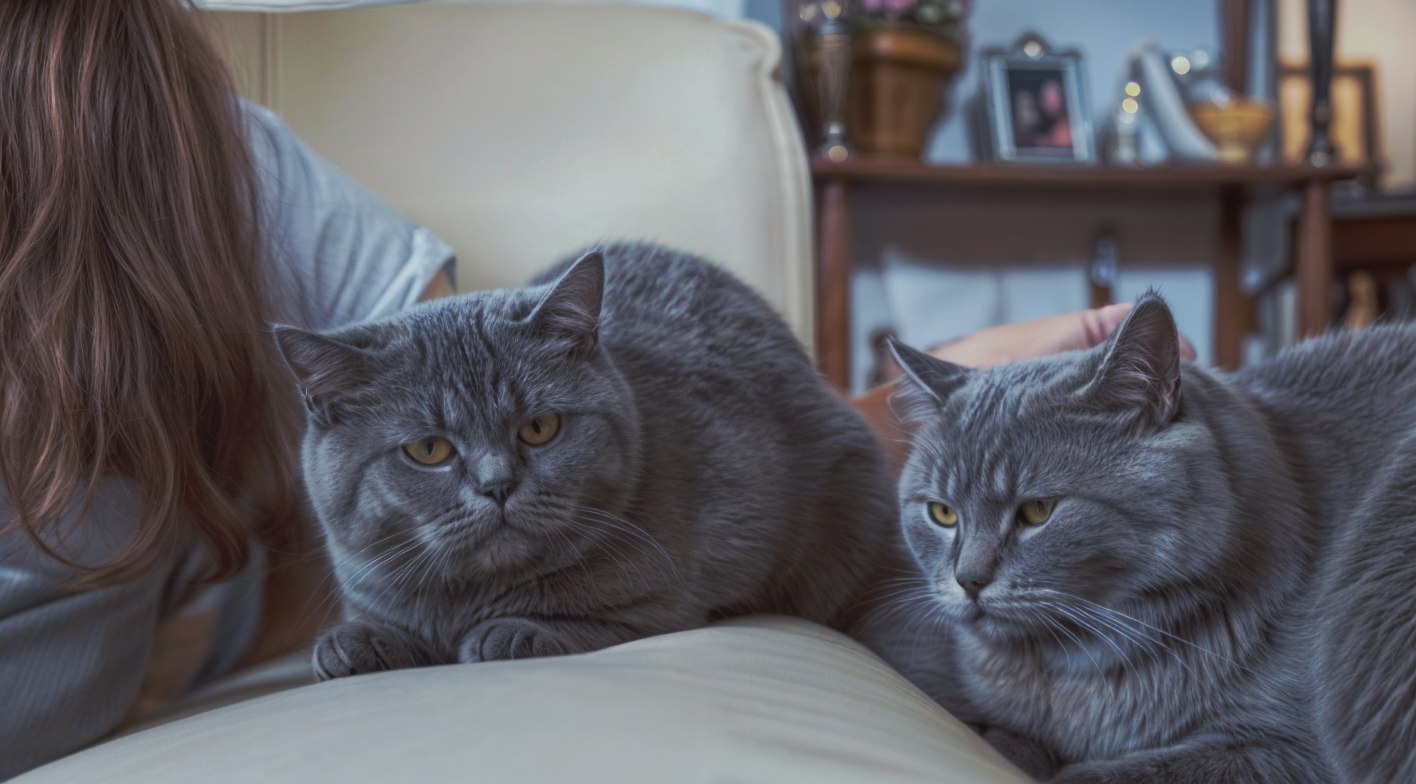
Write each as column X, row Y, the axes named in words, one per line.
column 838, row 182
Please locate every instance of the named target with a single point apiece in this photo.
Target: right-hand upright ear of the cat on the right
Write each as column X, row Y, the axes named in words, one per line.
column 1142, row 369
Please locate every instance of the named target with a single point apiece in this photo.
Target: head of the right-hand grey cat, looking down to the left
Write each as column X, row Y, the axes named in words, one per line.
column 1039, row 488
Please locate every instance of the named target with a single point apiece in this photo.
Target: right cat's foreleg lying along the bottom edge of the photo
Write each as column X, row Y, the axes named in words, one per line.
column 1204, row 763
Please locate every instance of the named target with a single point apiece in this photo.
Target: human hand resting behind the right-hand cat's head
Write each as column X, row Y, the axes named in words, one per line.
column 1040, row 338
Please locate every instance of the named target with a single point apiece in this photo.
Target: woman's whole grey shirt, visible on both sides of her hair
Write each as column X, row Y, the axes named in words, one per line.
column 72, row 664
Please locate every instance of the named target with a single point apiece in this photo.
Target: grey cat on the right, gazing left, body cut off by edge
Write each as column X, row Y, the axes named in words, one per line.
column 1150, row 572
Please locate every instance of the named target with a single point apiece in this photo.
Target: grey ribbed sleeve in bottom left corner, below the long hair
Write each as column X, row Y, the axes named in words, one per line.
column 72, row 664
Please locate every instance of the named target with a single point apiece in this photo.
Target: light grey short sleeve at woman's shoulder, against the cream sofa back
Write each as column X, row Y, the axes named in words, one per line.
column 339, row 253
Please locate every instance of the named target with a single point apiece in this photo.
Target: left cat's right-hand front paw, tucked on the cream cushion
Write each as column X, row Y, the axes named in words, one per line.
column 519, row 639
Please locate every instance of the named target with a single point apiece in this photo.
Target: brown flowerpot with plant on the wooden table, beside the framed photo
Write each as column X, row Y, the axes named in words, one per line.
column 906, row 52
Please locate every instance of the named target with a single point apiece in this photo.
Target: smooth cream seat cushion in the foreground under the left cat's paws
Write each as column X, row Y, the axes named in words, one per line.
column 755, row 700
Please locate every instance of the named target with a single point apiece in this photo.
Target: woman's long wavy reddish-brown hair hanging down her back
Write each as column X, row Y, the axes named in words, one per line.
column 134, row 309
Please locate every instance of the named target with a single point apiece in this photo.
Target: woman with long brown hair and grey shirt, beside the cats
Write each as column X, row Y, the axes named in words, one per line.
column 151, row 229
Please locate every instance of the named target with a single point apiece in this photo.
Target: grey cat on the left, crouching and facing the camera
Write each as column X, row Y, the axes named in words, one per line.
column 632, row 445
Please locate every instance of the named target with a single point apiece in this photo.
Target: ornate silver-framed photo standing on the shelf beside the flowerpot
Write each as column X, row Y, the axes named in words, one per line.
column 1037, row 104
